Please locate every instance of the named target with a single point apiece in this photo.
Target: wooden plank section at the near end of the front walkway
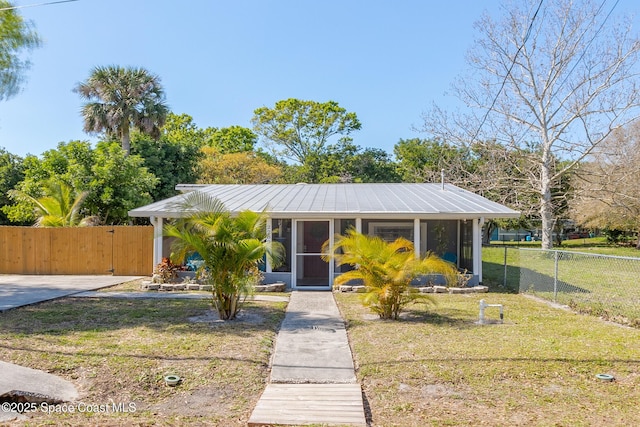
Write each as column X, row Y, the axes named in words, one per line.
column 305, row 404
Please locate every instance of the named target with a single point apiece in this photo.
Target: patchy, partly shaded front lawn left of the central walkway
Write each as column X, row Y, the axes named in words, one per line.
column 119, row 350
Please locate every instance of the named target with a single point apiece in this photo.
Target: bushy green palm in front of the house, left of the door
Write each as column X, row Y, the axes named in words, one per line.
column 231, row 246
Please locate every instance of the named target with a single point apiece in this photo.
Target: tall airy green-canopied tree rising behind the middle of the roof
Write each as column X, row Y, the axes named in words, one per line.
column 303, row 128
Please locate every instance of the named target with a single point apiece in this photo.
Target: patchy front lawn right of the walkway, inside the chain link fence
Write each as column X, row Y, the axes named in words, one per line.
column 436, row 367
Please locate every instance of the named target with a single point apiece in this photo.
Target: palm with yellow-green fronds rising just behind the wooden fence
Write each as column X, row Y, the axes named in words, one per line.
column 60, row 207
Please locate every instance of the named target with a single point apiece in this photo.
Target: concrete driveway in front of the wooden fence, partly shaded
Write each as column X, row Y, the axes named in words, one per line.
column 19, row 290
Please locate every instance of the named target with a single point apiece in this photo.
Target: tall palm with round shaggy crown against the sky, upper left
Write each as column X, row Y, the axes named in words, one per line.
column 120, row 99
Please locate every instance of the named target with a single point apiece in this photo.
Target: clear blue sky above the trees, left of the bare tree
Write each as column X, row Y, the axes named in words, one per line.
column 219, row 60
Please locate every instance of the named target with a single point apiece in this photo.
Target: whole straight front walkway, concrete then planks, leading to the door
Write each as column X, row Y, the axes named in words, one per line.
column 313, row 379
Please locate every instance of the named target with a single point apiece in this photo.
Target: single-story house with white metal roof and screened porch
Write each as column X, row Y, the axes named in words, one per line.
column 440, row 218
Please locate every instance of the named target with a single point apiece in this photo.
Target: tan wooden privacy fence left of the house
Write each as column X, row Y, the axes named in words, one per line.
column 117, row 250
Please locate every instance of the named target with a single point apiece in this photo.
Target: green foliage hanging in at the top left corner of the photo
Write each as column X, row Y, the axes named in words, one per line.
column 16, row 36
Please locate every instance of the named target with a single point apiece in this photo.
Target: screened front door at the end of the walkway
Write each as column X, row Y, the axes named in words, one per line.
column 311, row 271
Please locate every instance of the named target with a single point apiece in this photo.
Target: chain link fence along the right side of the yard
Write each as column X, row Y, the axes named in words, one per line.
column 601, row 285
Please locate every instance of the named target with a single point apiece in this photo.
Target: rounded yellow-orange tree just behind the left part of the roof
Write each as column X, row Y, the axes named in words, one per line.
column 235, row 168
